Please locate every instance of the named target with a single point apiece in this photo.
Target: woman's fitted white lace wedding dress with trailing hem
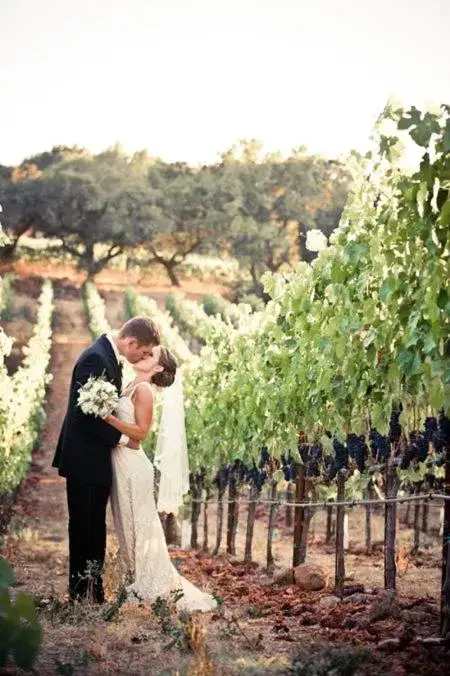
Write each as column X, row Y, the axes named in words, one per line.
column 139, row 531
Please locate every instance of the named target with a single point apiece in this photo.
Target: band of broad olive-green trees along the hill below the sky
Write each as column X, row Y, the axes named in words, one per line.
column 256, row 207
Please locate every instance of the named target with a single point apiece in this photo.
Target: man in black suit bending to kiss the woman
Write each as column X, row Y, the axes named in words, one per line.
column 83, row 453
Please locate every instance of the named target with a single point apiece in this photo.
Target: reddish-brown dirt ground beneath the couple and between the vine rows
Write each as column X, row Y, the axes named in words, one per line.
column 258, row 627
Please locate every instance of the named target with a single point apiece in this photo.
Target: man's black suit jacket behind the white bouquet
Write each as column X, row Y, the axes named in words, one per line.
column 85, row 443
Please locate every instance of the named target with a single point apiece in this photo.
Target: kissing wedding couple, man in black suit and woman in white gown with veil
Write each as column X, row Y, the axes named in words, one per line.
column 102, row 458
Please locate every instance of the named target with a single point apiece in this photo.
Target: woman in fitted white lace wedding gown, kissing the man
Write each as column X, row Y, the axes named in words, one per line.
column 138, row 526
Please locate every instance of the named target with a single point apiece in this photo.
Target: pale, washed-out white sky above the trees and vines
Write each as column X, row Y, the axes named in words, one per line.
column 187, row 78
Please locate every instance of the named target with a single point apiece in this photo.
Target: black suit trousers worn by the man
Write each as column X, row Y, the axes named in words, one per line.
column 87, row 538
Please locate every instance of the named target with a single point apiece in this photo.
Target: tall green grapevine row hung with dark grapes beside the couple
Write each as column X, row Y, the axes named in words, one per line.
column 341, row 386
